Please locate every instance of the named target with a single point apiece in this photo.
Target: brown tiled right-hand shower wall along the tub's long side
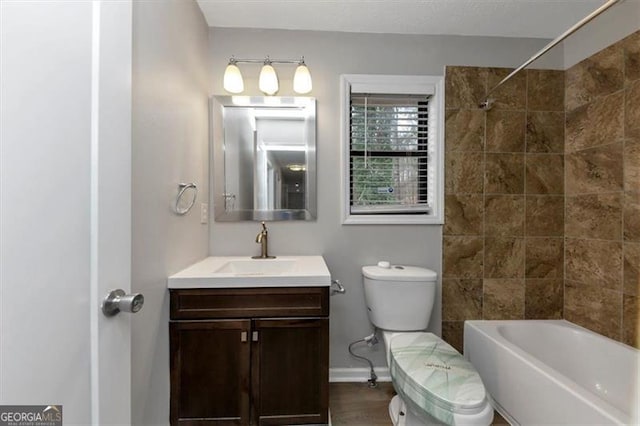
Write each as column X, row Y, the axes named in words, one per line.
column 602, row 166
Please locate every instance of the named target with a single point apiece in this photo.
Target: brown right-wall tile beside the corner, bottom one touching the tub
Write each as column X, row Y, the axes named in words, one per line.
column 593, row 307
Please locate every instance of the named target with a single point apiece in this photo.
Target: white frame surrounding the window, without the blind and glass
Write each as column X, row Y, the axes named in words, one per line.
column 401, row 85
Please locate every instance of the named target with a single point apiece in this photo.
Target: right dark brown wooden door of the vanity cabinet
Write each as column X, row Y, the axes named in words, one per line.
column 290, row 371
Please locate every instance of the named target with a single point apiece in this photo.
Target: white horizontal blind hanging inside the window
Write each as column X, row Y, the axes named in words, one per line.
column 389, row 154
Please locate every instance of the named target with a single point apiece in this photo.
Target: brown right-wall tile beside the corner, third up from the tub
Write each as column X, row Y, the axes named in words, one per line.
column 594, row 216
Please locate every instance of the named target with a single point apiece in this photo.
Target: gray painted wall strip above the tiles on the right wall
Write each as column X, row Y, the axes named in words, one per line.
column 616, row 23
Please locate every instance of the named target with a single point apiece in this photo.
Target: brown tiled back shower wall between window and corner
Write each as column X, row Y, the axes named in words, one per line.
column 504, row 198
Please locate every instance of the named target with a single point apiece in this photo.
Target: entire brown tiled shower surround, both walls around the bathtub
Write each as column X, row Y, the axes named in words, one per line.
column 539, row 223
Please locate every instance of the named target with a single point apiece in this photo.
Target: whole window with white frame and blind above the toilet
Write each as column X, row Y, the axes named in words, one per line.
column 391, row 127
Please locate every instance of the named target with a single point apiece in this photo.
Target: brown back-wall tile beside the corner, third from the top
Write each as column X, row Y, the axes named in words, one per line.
column 544, row 174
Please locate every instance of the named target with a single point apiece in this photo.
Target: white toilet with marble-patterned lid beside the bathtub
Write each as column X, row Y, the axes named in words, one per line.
column 435, row 384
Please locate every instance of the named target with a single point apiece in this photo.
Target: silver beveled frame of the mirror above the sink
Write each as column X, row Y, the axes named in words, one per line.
column 217, row 104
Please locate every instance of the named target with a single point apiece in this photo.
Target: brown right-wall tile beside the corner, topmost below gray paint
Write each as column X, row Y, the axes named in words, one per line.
column 594, row 77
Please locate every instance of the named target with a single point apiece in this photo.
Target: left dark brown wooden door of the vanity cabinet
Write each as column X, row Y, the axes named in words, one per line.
column 210, row 372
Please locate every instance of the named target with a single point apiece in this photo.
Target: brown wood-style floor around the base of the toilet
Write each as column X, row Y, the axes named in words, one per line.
column 356, row 404
